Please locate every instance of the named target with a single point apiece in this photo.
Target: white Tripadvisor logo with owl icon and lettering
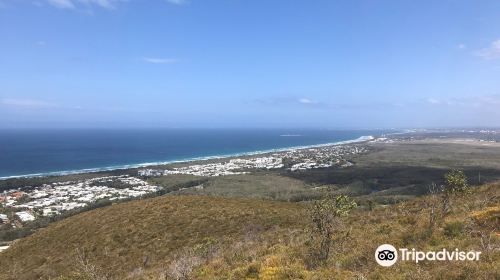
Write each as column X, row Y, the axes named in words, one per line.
column 387, row 255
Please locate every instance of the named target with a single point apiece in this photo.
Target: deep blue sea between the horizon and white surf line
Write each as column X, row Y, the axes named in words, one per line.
column 42, row 152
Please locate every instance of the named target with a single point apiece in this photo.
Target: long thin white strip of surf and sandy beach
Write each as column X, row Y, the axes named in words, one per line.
column 360, row 139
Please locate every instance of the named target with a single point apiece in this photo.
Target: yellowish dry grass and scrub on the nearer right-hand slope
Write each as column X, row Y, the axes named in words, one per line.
column 403, row 225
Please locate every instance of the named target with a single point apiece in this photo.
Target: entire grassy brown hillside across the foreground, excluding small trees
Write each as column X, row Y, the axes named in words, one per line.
column 196, row 237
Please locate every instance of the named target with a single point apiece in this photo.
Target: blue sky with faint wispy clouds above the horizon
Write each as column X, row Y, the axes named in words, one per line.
column 236, row 63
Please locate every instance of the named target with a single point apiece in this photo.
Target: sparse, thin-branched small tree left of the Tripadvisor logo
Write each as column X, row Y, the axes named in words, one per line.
column 326, row 216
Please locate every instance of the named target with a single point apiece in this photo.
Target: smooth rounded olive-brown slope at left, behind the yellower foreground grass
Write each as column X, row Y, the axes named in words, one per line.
column 125, row 236
